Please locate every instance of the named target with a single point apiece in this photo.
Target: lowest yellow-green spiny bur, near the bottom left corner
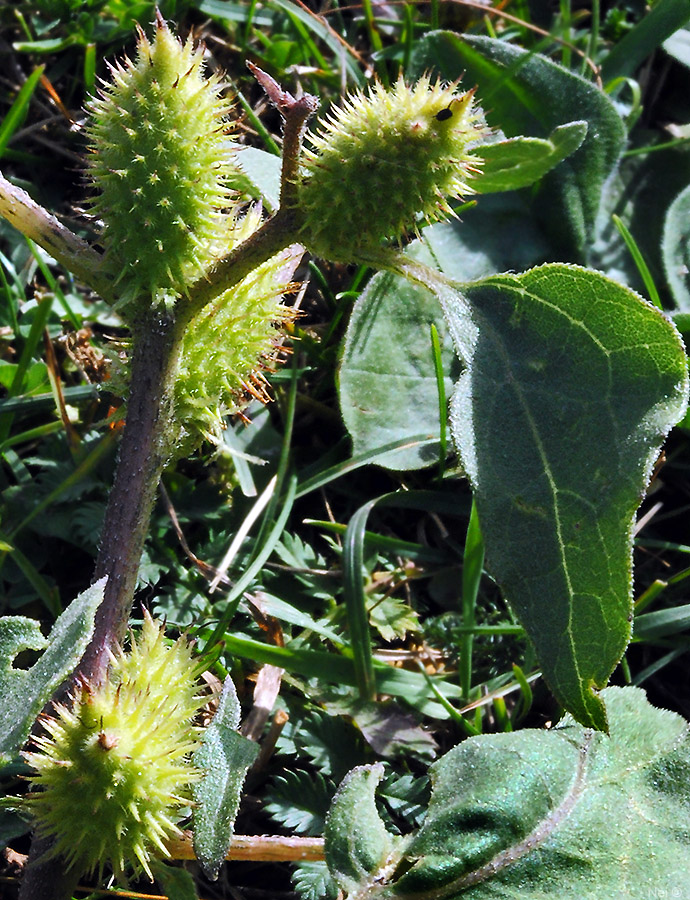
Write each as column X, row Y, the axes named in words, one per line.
column 113, row 766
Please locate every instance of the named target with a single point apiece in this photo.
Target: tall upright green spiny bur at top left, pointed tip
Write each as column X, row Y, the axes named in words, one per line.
column 159, row 166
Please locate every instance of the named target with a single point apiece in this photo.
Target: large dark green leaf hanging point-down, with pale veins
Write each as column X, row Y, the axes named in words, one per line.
column 572, row 382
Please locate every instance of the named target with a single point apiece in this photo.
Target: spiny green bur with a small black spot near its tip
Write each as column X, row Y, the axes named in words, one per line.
column 384, row 160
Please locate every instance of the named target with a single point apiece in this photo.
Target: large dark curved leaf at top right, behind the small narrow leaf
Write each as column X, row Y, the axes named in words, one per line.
column 524, row 93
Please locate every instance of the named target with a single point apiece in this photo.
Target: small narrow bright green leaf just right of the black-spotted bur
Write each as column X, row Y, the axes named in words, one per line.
column 518, row 162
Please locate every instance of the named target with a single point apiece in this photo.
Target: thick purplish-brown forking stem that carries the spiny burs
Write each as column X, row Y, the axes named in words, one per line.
column 148, row 438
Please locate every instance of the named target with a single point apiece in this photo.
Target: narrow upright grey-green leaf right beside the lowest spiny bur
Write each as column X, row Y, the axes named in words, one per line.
column 224, row 755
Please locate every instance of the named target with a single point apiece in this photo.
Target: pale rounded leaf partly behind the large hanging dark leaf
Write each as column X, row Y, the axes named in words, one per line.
column 388, row 354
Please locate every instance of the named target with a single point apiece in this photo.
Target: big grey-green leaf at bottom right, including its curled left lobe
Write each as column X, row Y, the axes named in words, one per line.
column 532, row 815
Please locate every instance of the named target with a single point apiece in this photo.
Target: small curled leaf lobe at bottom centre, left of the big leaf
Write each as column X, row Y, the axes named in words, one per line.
column 358, row 846
